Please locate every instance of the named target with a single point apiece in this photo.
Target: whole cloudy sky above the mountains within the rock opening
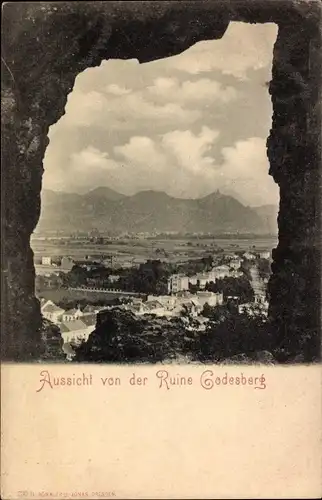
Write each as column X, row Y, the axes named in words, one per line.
column 187, row 125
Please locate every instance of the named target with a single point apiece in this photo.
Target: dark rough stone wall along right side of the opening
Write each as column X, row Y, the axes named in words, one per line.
column 294, row 151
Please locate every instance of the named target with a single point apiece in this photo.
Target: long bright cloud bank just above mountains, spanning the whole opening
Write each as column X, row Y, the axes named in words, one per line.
column 179, row 162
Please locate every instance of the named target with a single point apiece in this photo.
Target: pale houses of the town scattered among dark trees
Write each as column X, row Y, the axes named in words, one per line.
column 76, row 324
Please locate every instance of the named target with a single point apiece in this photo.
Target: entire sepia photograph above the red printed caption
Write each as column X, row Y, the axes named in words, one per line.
column 157, row 216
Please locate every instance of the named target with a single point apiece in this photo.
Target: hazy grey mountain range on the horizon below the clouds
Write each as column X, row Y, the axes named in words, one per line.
column 148, row 211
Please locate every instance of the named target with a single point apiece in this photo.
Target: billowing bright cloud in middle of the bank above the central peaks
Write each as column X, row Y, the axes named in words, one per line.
column 175, row 162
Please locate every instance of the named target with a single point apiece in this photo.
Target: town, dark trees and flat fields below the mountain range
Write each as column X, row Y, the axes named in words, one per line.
column 149, row 297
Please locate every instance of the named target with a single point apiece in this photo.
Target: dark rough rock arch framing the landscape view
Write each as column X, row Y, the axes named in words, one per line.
column 46, row 45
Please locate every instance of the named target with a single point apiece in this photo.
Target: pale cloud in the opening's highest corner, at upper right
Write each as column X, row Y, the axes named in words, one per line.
column 243, row 47
